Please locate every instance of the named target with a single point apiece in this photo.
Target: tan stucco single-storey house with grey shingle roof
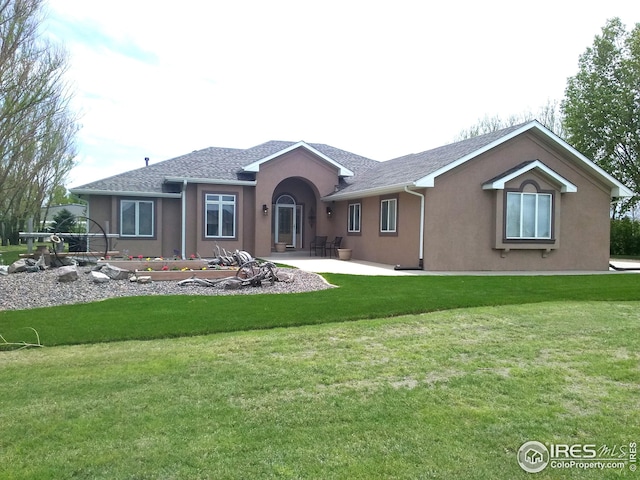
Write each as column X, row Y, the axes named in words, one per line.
column 516, row 199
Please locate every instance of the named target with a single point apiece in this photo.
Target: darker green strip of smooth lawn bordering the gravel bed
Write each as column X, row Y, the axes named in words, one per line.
column 358, row 297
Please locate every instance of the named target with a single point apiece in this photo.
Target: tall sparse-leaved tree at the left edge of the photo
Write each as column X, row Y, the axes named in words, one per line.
column 37, row 130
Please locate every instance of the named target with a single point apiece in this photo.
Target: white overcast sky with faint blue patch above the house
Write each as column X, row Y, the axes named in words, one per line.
column 158, row 79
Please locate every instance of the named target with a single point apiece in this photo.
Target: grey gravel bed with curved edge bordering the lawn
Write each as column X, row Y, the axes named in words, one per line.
column 20, row 291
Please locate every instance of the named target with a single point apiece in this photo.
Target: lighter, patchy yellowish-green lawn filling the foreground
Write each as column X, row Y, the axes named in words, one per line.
column 449, row 394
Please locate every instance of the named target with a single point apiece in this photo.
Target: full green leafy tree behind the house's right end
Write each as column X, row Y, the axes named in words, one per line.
column 602, row 105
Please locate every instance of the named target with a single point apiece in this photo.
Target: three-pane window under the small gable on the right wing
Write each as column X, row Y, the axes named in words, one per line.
column 528, row 216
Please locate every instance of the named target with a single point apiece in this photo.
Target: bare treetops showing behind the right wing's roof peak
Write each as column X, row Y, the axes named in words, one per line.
column 548, row 115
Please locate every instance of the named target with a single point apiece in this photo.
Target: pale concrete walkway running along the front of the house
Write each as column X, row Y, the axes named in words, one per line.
column 360, row 267
